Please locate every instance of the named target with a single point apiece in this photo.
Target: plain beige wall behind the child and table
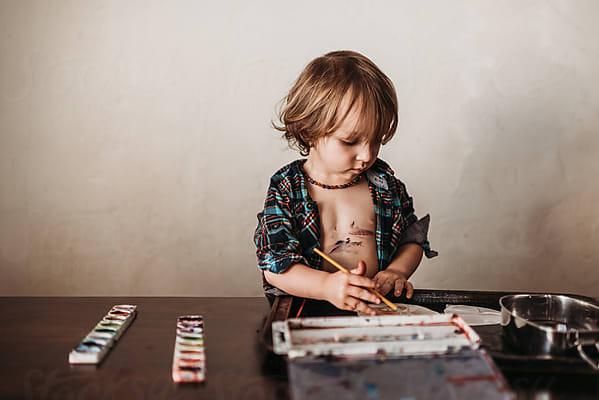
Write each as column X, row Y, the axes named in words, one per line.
column 135, row 146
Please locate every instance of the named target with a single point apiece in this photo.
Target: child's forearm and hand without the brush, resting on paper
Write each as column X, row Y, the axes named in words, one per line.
column 401, row 268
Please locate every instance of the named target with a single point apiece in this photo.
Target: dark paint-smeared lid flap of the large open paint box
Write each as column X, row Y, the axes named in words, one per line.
column 468, row 375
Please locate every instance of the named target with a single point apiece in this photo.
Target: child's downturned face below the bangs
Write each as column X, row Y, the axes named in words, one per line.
column 344, row 153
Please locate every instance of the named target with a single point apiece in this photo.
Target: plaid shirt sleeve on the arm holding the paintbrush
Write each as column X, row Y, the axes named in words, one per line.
column 277, row 245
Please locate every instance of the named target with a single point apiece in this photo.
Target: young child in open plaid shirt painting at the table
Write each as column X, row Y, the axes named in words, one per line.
column 341, row 198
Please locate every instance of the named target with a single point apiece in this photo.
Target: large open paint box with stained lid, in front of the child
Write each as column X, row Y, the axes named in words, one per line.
column 386, row 356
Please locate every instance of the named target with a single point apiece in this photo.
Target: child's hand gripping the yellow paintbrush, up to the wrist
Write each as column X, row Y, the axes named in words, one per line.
column 346, row 291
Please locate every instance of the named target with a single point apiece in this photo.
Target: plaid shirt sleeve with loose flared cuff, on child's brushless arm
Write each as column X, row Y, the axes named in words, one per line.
column 417, row 229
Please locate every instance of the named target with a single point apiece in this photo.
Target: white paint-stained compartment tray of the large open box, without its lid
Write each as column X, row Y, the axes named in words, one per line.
column 384, row 335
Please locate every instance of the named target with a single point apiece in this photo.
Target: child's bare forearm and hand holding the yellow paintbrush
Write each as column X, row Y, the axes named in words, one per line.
column 344, row 291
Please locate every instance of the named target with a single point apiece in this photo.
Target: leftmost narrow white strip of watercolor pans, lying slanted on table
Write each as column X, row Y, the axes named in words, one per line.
column 94, row 347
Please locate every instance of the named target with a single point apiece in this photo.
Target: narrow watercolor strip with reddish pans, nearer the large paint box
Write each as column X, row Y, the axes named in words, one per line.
column 189, row 357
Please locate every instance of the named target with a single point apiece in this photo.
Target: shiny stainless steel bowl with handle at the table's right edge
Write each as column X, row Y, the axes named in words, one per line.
column 546, row 325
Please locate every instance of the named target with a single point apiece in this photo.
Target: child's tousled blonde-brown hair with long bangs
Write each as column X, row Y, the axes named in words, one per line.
column 315, row 105
